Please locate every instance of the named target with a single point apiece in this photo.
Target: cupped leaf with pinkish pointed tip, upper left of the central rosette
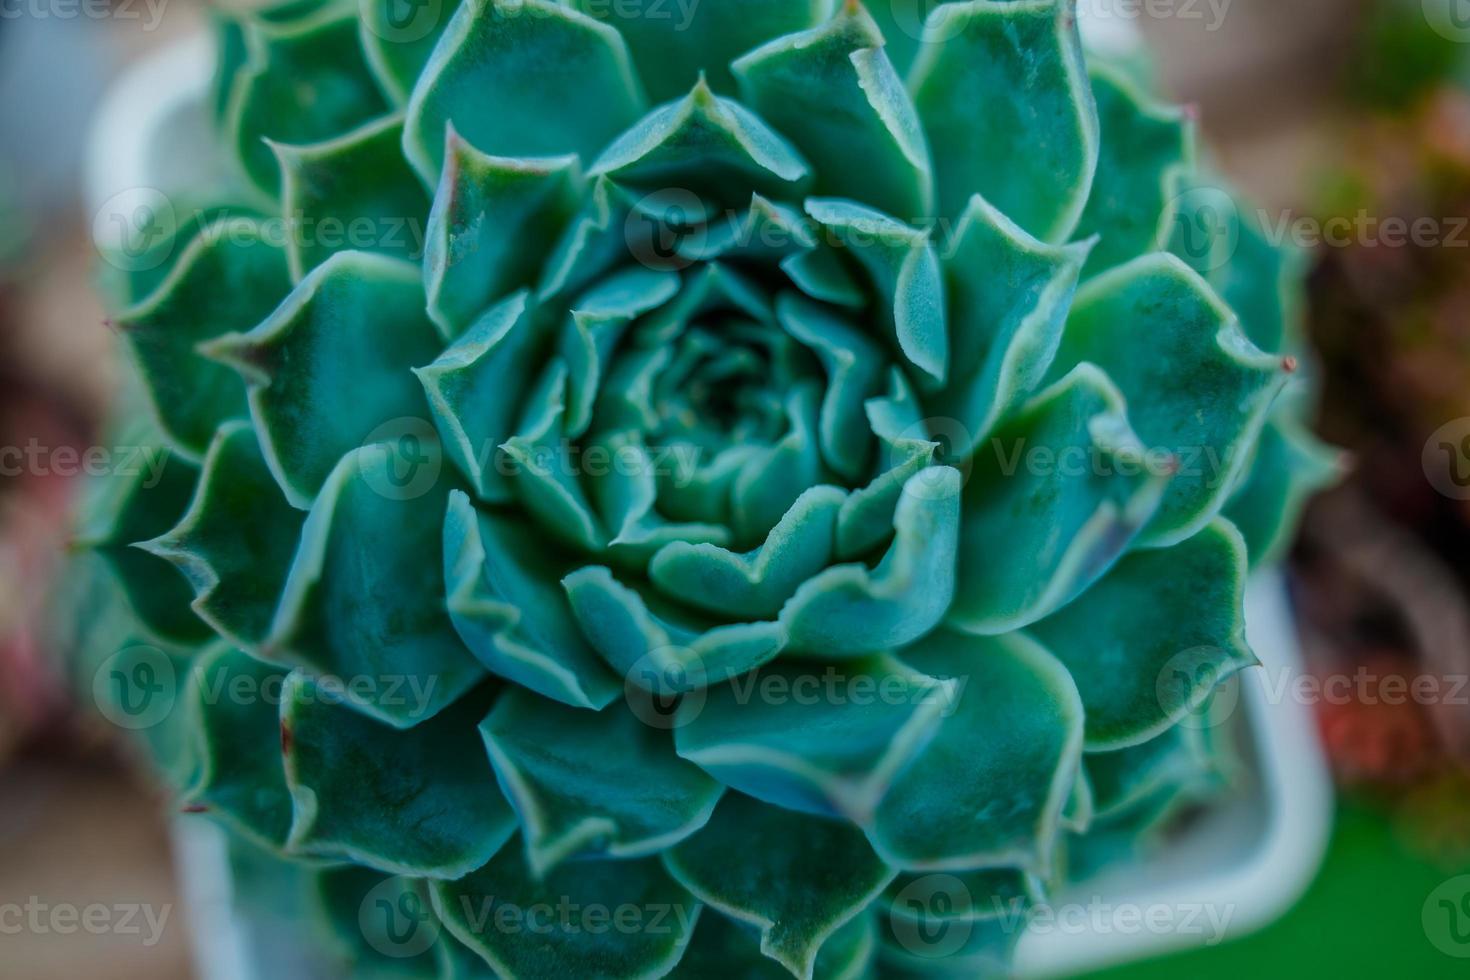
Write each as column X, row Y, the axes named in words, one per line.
column 493, row 226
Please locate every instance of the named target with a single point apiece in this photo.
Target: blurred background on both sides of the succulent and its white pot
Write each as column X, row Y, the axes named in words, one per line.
column 1346, row 123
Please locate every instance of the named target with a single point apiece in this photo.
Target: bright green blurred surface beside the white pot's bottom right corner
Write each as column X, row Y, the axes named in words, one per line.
column 1363, row 918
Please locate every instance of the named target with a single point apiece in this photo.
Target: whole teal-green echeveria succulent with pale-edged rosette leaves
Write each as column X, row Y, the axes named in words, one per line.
column 852, row 459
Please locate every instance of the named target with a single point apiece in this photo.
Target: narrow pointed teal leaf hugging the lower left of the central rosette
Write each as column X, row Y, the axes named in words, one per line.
column 506, row 603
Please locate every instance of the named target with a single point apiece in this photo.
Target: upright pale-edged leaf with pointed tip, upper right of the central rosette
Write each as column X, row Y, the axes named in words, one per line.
column 1009, row 298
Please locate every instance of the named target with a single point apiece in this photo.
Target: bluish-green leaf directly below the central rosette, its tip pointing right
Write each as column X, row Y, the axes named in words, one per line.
column 827, row 741
